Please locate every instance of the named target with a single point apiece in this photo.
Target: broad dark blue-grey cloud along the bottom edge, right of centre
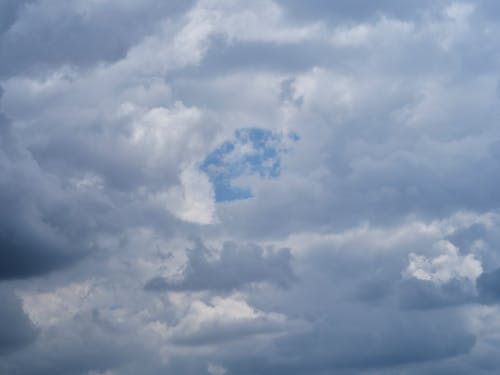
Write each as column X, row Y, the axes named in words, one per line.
column 379, row 339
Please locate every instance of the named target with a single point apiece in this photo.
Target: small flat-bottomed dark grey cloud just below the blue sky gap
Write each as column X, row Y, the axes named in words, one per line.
column 235, row 266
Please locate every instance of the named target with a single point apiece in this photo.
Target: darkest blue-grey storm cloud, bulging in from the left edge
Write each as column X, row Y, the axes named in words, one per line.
column 39, row 227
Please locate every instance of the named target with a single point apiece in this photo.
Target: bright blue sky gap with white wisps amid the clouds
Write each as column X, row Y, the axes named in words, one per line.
column 251, row 151
